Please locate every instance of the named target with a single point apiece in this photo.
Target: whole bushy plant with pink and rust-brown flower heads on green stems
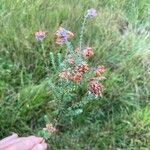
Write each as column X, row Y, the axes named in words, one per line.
column 78, row 83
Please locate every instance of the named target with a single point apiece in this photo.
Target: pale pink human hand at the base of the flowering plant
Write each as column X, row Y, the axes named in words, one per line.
column 14, row 142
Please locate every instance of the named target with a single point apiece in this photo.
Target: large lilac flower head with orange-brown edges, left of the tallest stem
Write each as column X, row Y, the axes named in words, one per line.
column 62, row 35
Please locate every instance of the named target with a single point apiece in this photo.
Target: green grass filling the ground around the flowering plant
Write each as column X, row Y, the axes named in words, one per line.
column 120, row 37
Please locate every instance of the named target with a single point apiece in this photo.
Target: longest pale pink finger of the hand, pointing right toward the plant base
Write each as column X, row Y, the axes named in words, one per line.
column 23, row 143
